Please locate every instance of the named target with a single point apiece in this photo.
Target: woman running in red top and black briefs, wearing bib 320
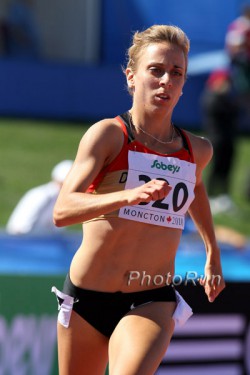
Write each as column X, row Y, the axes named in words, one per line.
column 134, row 178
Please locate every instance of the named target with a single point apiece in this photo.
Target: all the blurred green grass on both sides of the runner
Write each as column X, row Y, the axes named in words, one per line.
column 30, row 149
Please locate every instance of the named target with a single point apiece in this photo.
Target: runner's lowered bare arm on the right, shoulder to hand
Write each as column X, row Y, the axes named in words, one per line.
column 201, row 215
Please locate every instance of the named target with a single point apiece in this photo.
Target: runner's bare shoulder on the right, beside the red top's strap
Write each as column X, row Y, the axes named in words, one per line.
column 202, row 149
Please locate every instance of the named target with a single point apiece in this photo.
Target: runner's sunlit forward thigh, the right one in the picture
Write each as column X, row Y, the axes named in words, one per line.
column 141, row 338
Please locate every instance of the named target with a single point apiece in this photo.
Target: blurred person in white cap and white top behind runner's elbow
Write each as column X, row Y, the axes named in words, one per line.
column 33, row 213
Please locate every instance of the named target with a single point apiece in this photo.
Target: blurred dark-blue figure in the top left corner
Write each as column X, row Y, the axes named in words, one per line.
column 23, row 35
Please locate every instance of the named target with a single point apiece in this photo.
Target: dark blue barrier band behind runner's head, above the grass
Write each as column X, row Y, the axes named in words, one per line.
column 79, row 92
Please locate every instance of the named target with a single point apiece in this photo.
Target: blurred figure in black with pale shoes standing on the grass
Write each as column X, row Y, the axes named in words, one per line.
column 220, row 114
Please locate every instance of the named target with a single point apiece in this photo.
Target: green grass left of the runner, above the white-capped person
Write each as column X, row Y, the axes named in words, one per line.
column 28, row 152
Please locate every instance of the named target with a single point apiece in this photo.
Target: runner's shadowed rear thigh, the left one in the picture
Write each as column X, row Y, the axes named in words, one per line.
column 82, row 350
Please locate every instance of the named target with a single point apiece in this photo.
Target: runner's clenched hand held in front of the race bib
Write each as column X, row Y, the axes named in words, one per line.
column 151, row 191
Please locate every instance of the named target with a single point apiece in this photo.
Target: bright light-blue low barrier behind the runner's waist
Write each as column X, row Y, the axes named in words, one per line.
column 51, row 255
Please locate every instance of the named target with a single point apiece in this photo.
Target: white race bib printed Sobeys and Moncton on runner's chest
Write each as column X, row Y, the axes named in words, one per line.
column 167, row 212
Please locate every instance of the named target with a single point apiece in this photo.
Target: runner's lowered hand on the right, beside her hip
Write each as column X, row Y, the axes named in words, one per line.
column 213, row 282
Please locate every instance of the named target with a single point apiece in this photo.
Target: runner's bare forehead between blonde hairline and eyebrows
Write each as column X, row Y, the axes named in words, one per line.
column 162, row 53
